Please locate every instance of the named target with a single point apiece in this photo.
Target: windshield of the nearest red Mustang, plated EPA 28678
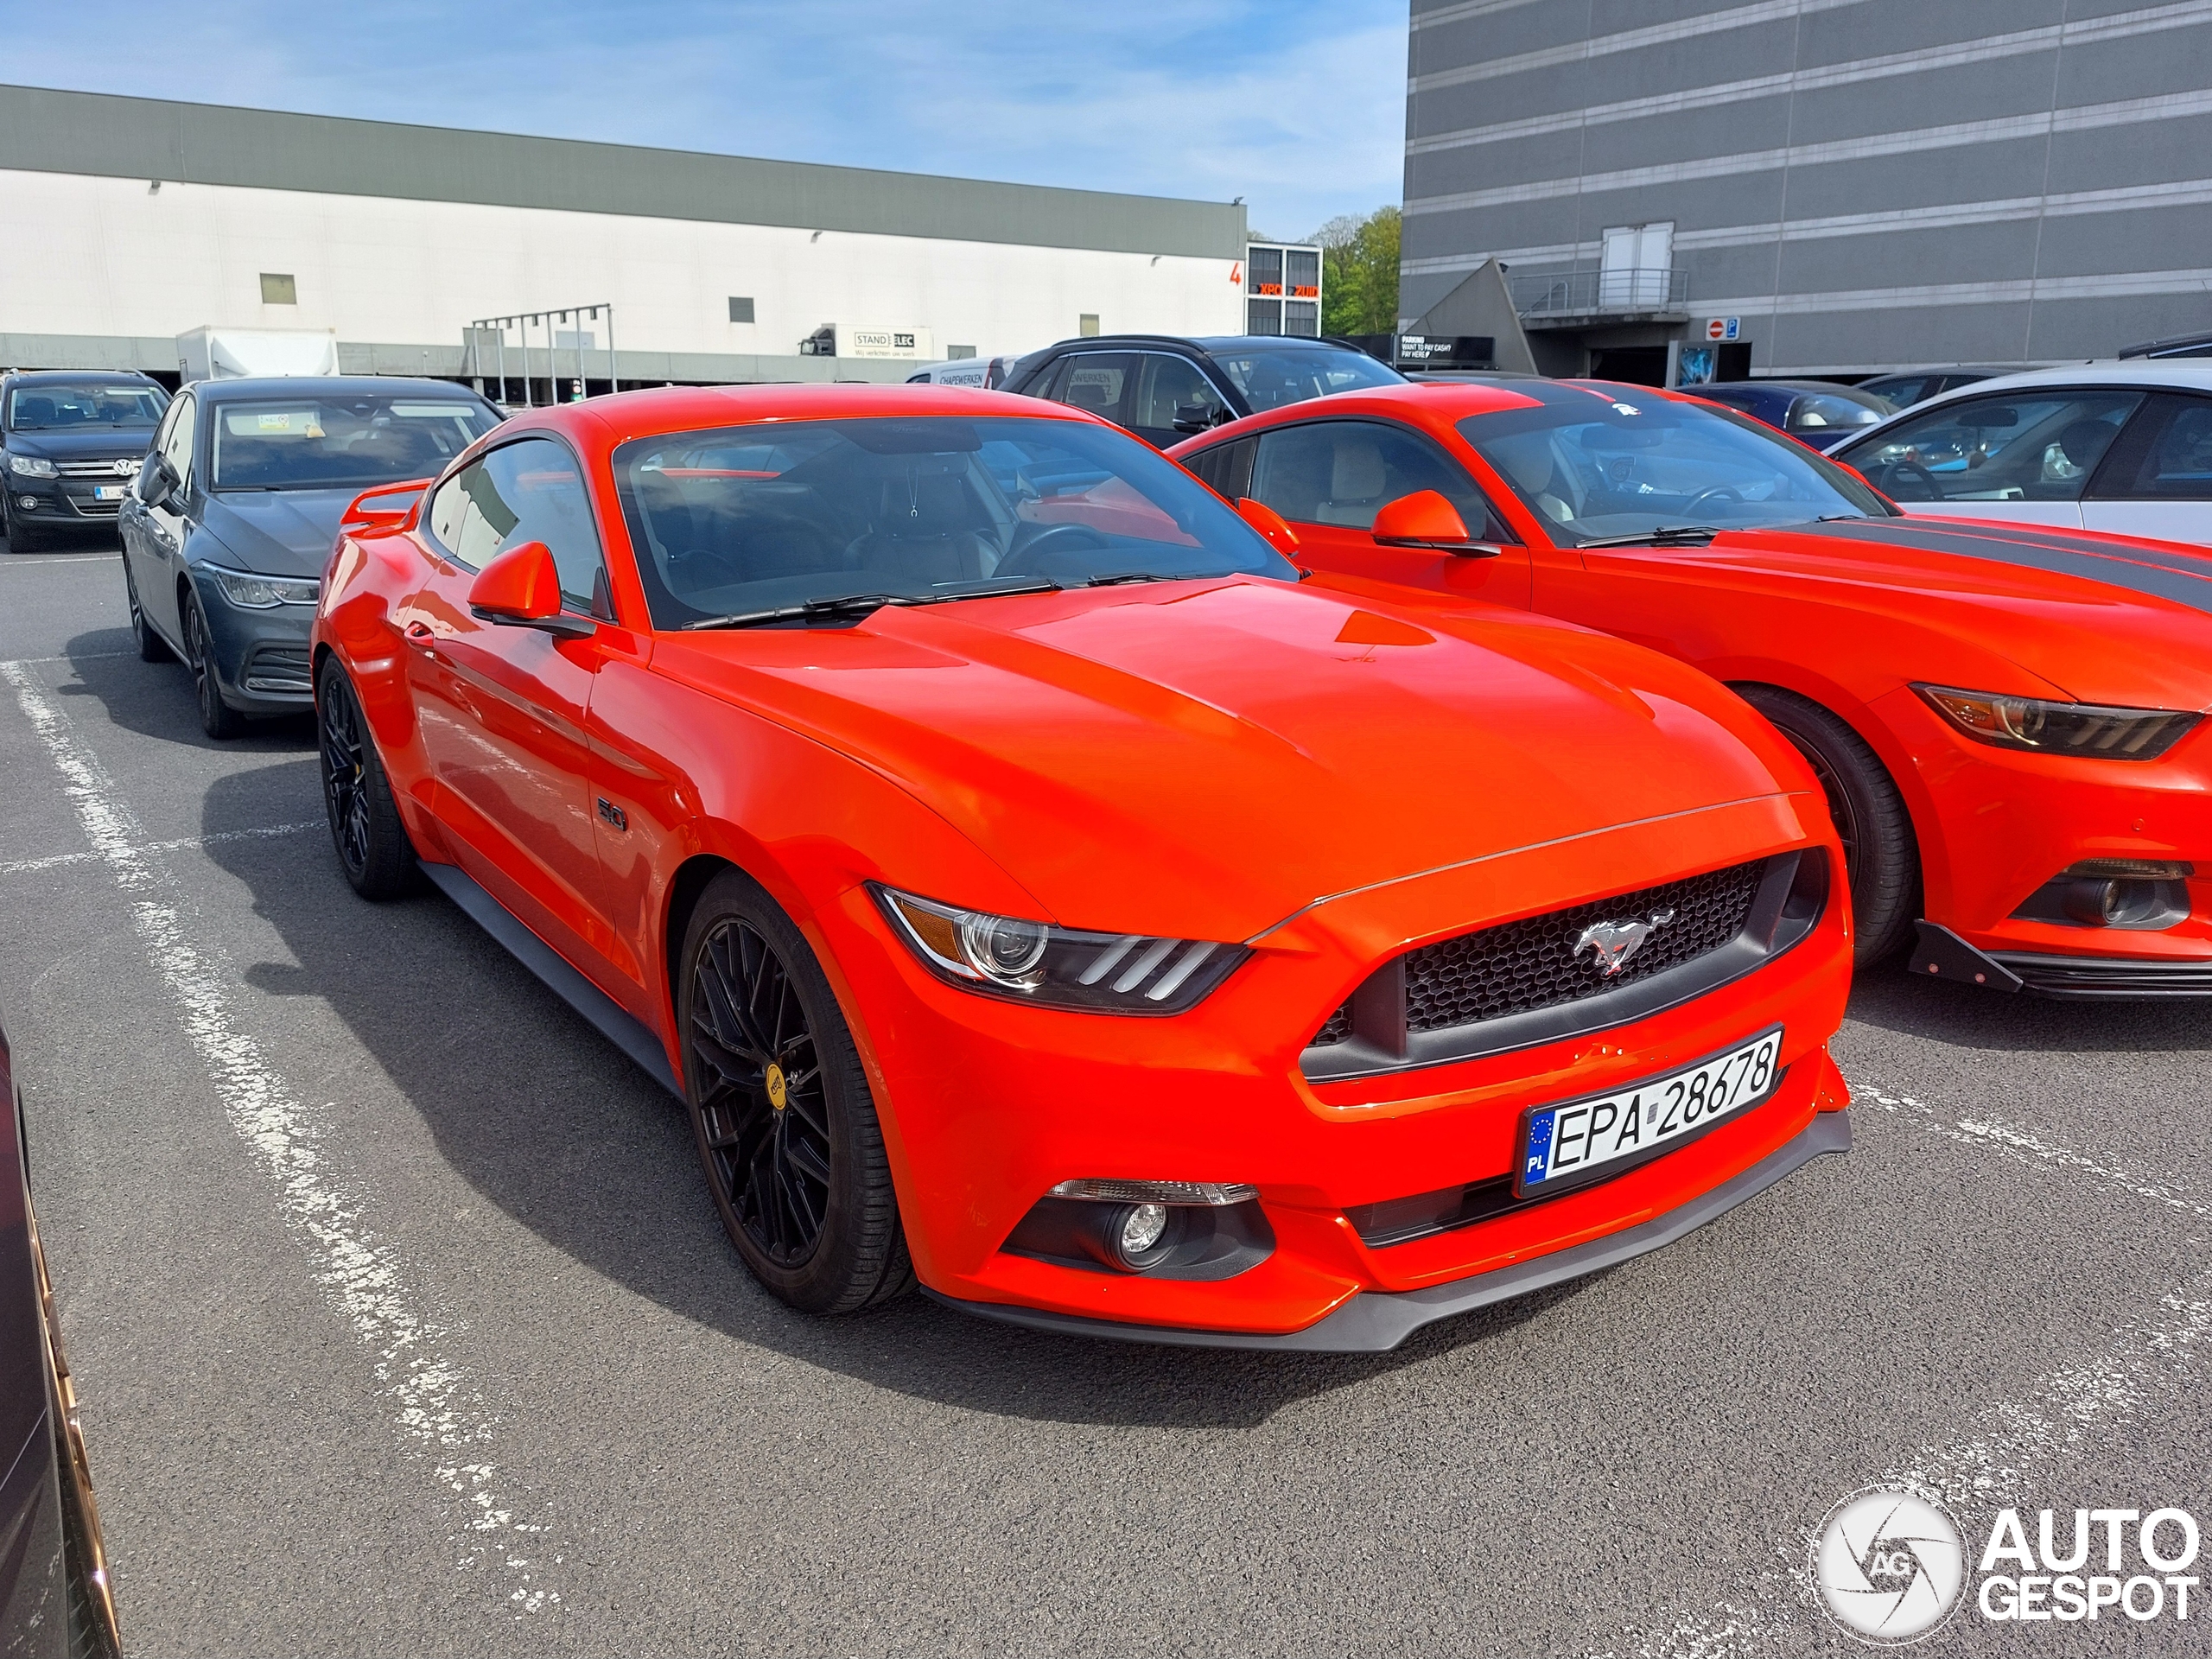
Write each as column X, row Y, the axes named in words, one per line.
column 784, row 514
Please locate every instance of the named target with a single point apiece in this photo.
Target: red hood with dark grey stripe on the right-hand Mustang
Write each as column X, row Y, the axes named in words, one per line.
column 2098, row 618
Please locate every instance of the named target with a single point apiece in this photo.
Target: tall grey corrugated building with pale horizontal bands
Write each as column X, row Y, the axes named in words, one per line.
column 1866, row 185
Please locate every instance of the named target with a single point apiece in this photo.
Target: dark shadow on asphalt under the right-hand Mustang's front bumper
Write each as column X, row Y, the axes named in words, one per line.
column 1976, row 1019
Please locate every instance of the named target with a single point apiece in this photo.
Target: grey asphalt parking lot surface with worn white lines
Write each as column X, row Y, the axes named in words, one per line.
column 406, row 1326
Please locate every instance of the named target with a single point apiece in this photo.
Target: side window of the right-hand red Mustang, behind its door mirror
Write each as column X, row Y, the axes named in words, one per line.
column 1344, row 472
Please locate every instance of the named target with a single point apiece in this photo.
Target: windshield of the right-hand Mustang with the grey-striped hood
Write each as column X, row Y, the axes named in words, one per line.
column 1623, row 463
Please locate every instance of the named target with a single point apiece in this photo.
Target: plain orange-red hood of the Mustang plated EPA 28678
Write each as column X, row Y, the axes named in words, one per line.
column 1209, row 758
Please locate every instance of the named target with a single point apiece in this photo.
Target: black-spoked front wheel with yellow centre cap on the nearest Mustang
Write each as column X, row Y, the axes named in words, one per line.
column 782, row 1109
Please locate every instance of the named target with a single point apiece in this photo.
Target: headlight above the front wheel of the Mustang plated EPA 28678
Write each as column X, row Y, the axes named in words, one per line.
column 1058, row 966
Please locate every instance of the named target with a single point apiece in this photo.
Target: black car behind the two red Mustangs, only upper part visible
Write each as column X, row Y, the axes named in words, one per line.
column 1167, row 388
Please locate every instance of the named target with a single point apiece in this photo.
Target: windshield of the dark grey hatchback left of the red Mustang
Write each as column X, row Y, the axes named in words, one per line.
column 342, row 444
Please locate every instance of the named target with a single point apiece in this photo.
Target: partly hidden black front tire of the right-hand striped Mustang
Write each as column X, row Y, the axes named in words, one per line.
column 1879, row 848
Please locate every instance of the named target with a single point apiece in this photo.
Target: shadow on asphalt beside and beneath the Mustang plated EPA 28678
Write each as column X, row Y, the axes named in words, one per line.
column 561, row 1131
